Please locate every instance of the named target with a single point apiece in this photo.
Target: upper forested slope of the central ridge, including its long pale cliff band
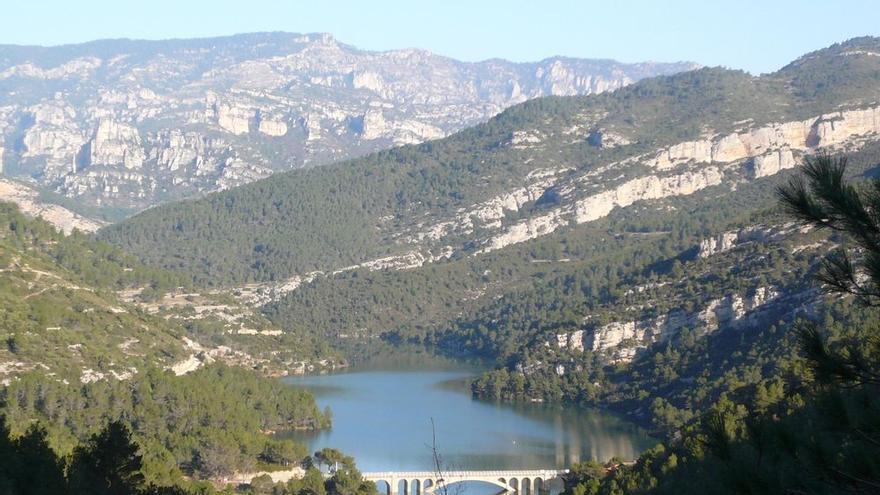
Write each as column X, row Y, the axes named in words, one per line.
column 535, row 168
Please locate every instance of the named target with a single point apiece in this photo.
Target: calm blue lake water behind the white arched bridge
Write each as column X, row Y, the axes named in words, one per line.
column 382, row 416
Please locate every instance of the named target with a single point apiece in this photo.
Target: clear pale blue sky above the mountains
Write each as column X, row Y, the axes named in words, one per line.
column 755, row 35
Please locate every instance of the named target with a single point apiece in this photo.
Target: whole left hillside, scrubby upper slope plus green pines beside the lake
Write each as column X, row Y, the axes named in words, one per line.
column 85, row 338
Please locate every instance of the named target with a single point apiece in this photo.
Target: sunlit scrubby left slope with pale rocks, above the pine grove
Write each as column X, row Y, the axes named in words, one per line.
column 85, row 311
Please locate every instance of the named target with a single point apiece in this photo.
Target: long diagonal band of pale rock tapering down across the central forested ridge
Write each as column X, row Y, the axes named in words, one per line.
column 723, row 161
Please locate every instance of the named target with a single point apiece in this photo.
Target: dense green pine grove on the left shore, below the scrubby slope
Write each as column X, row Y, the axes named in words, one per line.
column 210, row 423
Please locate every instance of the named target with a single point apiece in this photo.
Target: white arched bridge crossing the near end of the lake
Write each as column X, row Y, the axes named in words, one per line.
column 527, row 482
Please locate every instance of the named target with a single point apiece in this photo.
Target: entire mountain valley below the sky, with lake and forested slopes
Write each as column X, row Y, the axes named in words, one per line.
column 279, row 257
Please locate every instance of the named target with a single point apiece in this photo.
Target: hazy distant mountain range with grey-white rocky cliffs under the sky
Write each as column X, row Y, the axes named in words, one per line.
column 121, row 125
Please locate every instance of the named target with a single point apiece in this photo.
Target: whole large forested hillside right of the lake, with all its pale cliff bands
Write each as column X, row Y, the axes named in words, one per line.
column 576, row 241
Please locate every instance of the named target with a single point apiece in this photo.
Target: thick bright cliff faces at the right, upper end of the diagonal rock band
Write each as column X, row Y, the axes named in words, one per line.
column 684, row 169
